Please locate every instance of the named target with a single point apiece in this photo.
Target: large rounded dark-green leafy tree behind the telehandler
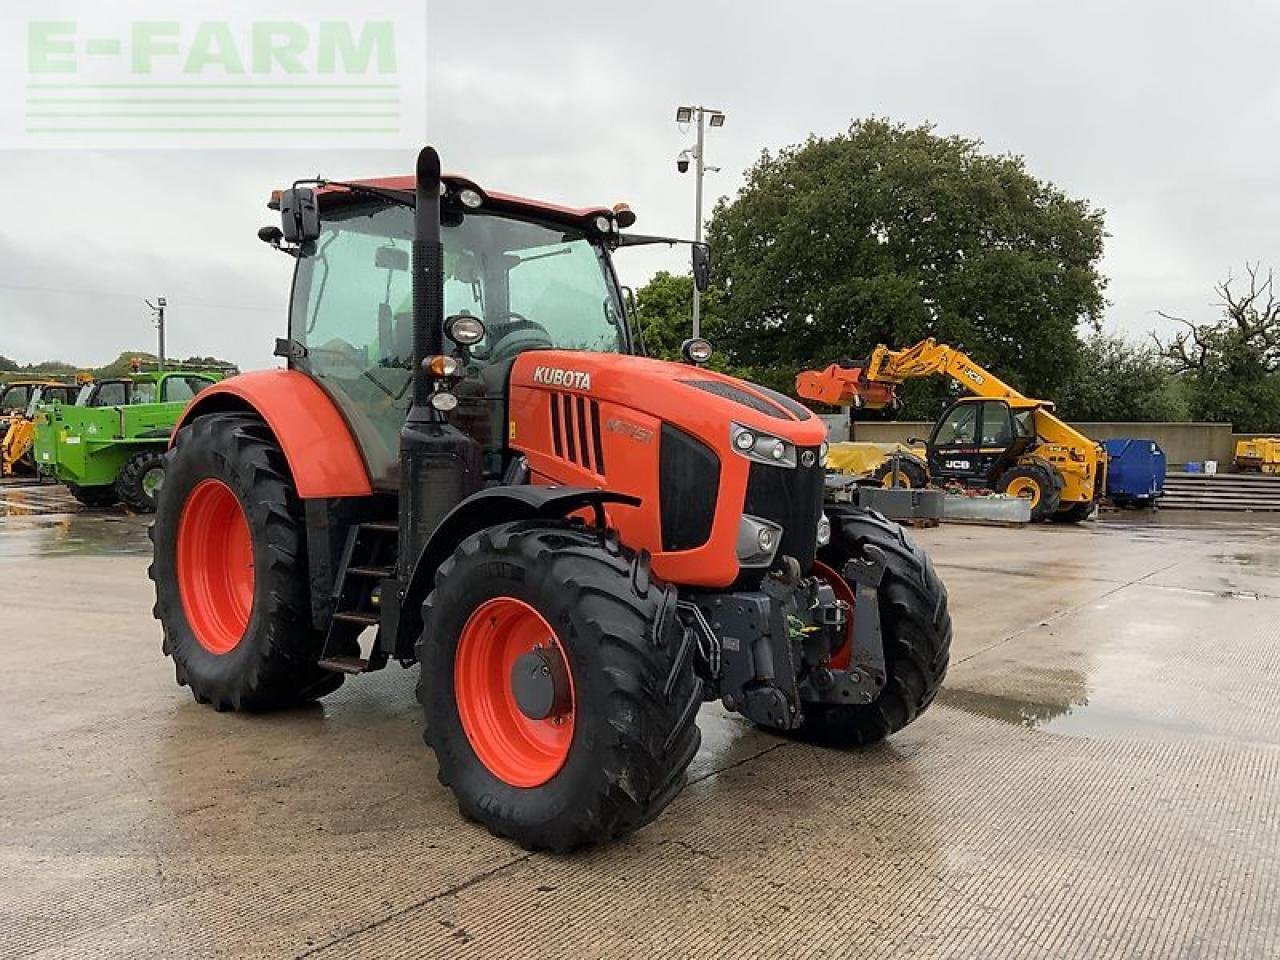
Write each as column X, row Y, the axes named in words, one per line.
column 892, row 234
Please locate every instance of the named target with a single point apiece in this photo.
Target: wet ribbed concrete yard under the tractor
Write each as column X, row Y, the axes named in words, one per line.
column 1098, row 779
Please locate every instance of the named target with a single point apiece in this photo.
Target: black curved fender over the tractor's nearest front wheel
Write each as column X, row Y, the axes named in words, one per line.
column 493, row 506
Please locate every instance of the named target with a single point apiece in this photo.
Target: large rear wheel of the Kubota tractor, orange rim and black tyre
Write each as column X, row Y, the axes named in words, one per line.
column 231, row 570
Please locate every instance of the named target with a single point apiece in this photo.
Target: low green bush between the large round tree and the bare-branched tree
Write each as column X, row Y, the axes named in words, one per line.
column 1119, row 381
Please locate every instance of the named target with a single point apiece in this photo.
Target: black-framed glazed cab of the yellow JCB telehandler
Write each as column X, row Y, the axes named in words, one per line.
column 977, row 440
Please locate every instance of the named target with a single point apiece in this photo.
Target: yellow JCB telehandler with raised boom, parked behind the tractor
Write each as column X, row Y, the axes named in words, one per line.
column 998, row 437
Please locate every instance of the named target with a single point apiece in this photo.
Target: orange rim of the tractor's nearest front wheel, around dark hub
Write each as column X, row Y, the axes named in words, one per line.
column 516, row 749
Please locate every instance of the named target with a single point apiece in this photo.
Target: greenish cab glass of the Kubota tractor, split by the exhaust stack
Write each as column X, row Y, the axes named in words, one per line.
column 536, row 286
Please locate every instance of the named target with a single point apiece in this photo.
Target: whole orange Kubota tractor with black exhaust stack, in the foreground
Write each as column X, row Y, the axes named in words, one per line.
column 579, row 546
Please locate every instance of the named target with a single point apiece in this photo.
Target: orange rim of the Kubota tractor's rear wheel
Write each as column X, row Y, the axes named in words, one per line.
column 216, row 566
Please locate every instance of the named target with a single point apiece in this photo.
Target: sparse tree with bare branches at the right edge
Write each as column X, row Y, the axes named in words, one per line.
column 1232, row 365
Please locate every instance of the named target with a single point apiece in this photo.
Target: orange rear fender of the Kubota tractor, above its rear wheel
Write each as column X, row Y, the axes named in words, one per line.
column 319, row 446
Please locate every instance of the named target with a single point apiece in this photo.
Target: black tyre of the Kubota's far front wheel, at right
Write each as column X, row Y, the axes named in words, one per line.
column 915, row 623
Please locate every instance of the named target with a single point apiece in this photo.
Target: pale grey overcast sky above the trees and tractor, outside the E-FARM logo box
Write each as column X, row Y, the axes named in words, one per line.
column 1167, row 115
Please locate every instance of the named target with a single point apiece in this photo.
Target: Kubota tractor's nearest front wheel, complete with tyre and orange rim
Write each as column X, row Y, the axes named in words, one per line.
column 559, row 692
